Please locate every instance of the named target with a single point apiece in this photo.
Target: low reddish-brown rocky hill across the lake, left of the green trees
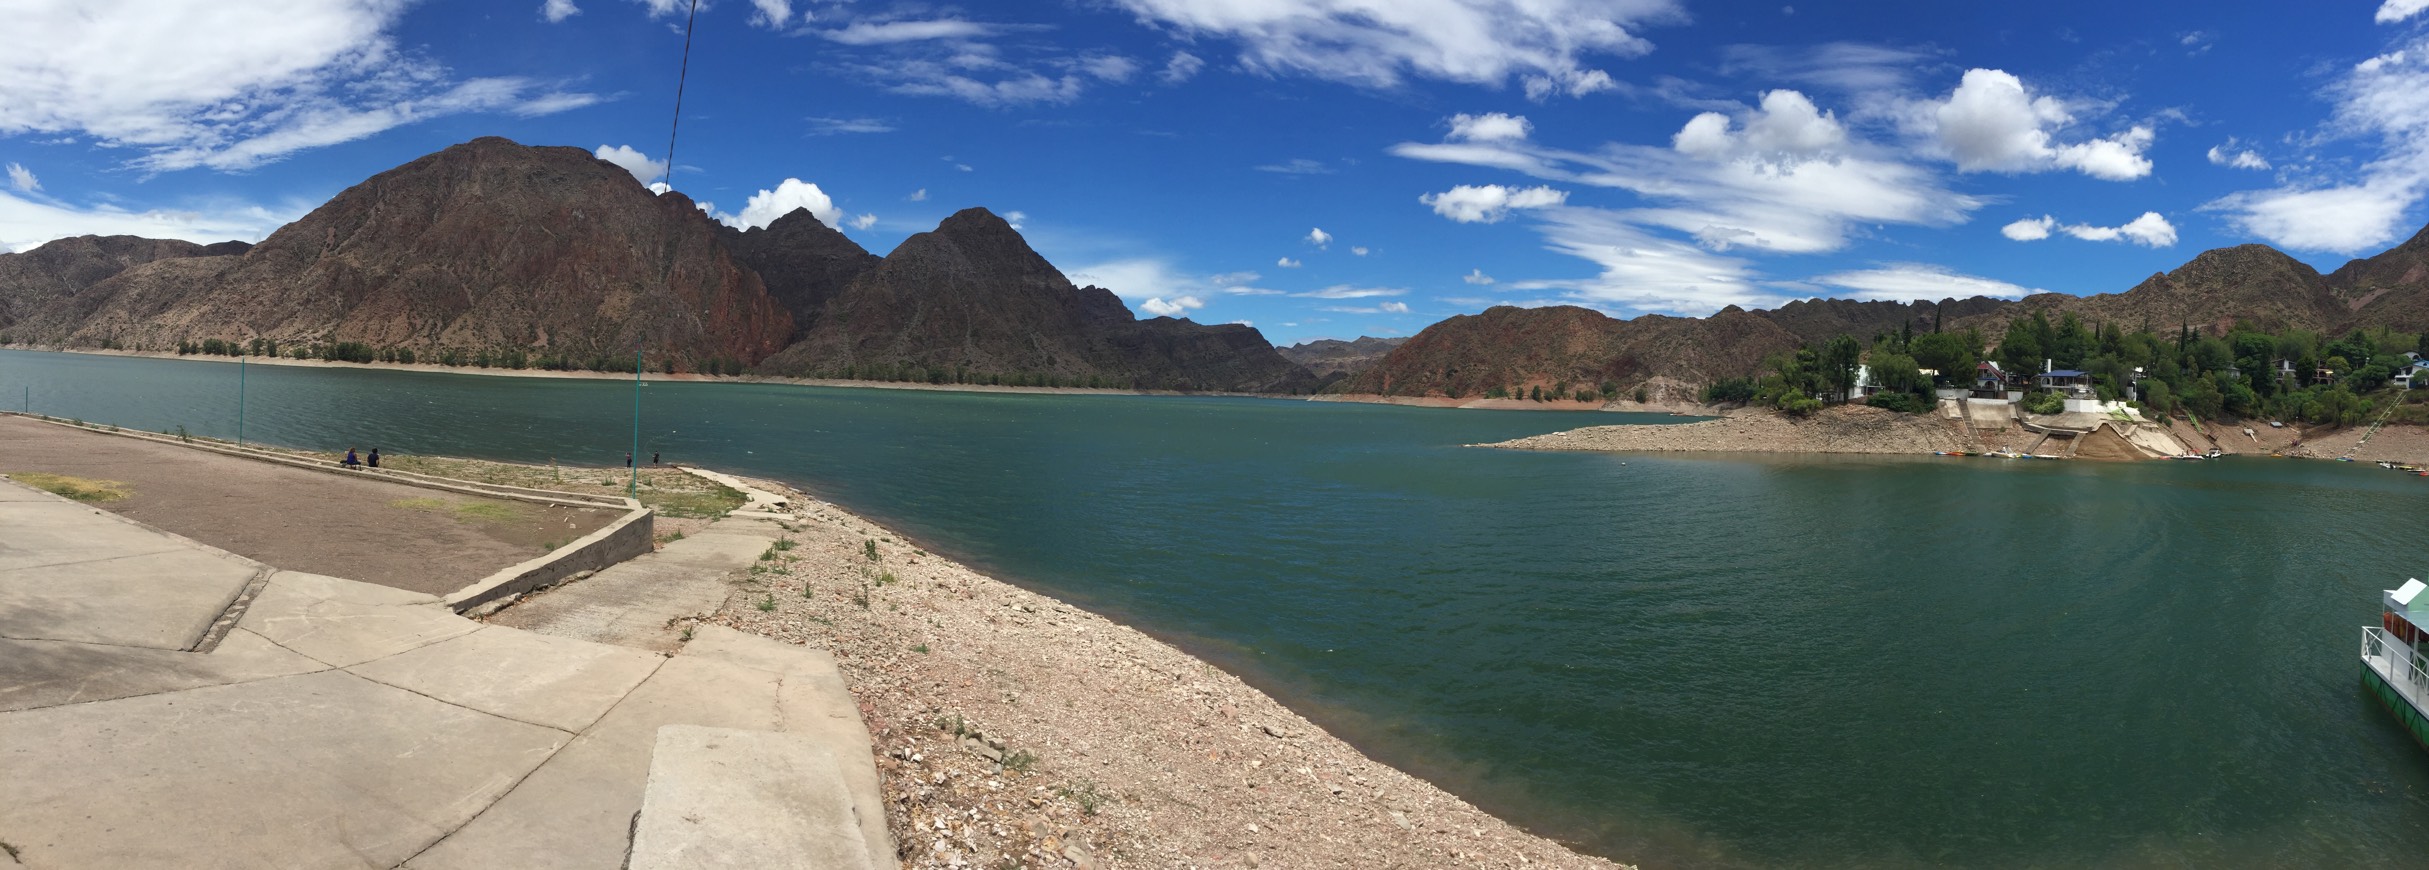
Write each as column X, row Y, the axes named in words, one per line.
column 1575, row 349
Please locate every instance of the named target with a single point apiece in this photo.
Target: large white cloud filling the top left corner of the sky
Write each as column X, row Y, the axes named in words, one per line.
column 213, row 84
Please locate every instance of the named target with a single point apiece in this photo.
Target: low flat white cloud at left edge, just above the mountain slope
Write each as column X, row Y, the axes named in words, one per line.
column 30, row 222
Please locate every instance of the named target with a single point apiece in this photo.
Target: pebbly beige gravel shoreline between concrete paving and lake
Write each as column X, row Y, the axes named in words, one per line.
column 1024, row 733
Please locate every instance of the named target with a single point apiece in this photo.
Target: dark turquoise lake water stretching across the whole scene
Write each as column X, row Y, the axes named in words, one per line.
column 1772, row 662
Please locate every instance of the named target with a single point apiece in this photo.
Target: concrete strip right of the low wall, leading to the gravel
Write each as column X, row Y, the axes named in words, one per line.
column 638, row 601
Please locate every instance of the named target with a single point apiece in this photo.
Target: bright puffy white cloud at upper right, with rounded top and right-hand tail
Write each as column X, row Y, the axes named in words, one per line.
column 1993, row 123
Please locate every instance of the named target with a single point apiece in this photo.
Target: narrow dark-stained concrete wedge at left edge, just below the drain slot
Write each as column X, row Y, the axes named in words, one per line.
column 50, row 674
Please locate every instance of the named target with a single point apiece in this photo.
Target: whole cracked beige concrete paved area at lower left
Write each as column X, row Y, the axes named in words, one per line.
column 174, row 706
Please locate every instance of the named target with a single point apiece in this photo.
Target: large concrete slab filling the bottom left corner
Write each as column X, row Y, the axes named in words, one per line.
column 300, row 772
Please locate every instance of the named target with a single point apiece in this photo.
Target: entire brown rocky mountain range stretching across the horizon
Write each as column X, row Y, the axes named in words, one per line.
column 492, row 247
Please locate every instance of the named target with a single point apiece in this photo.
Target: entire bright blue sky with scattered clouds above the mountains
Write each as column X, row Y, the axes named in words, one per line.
column 1320, row 169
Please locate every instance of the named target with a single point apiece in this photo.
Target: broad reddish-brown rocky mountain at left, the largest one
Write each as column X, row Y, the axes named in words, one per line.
column 482, row 247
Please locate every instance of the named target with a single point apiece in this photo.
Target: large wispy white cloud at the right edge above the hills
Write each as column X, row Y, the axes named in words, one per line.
column 2382, row 98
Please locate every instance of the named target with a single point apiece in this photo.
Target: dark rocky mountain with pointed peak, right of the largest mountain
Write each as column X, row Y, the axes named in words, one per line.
column 973, row 303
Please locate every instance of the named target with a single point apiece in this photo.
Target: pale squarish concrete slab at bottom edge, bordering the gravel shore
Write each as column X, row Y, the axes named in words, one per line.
column 725, row 798
